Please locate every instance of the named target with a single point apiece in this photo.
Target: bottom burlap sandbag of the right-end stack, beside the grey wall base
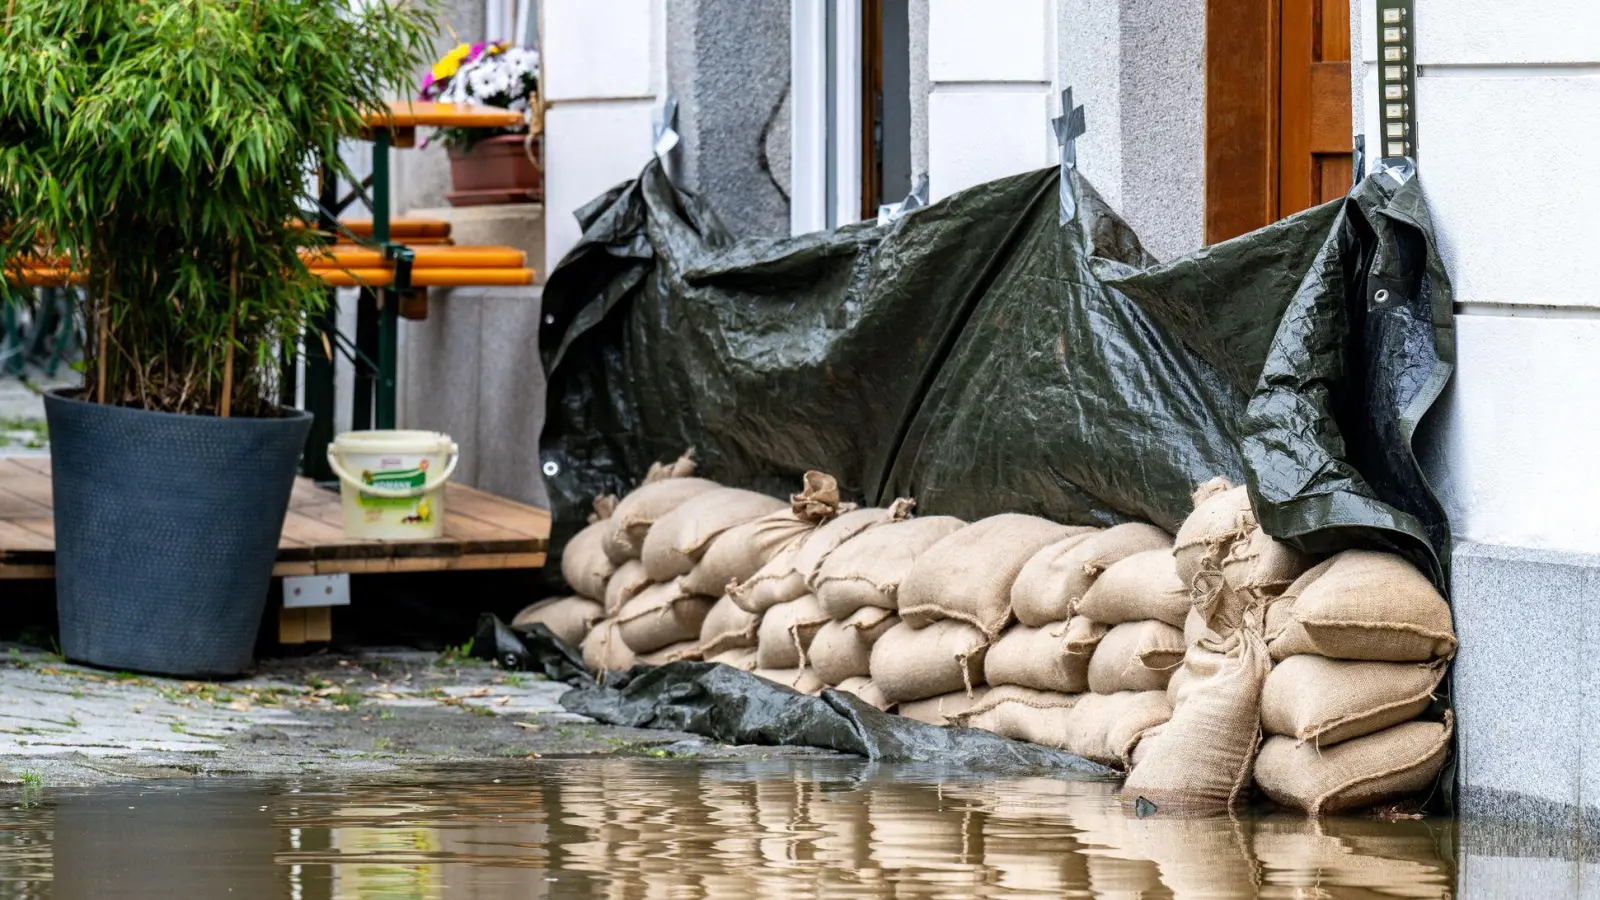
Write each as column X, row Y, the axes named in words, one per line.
column 1356, row 774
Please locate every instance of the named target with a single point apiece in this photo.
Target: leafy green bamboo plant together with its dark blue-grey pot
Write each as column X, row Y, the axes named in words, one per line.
column 161, row 150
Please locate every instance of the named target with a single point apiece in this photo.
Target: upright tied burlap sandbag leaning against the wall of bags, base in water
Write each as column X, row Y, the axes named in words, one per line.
column 1204, row 755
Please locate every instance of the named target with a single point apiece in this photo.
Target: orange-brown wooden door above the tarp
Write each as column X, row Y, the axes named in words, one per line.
column 1278, row 110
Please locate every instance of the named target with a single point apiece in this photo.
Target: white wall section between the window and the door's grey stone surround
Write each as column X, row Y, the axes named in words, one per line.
column 991, row 86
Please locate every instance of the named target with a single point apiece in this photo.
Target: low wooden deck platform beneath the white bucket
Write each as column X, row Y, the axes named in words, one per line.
column 481, row 532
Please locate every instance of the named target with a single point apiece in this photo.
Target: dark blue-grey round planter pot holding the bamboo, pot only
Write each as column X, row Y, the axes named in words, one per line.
column 167, row 528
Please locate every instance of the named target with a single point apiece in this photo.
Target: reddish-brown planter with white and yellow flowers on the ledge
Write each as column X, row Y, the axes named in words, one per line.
column 492, row 166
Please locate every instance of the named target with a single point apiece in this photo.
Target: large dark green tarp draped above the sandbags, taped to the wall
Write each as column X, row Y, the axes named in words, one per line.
column 983, row 358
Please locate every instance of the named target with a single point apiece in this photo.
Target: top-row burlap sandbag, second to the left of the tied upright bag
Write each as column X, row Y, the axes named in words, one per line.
column 1058, row 577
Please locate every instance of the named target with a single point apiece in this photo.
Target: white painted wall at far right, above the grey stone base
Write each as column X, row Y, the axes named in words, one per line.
column 1510, row 156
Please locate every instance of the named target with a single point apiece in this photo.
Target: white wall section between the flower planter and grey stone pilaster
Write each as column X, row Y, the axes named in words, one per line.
column 604, row 70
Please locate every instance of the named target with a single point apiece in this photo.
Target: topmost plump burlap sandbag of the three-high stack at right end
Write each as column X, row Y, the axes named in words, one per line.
column 1362, row 606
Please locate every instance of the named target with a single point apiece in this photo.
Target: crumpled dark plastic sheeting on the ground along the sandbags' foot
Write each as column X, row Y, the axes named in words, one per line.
column 735, row 707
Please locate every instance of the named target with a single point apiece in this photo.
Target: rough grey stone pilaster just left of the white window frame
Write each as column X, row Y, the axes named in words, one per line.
column 729, row 66
